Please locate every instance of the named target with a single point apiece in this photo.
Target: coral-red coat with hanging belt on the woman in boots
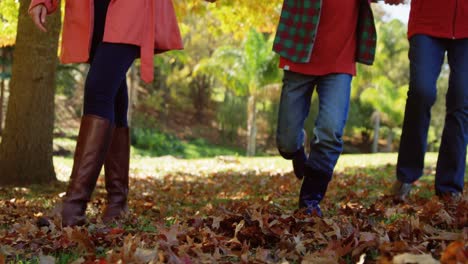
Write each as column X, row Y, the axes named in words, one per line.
column 150, row 24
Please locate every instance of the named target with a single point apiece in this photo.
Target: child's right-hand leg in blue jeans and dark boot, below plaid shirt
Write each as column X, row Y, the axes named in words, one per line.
column 327, row 144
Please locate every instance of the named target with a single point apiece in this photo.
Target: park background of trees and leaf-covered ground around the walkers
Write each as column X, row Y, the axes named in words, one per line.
column 203, row 138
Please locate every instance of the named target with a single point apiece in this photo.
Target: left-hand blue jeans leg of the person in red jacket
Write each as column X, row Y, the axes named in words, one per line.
column 426, row 56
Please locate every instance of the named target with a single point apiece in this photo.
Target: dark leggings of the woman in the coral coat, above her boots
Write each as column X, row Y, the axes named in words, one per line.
column 106, row 87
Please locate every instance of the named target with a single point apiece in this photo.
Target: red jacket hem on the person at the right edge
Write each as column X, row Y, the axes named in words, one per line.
column 439, row 18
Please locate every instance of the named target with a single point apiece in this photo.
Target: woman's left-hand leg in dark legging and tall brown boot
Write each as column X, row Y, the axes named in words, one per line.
column 105, row 76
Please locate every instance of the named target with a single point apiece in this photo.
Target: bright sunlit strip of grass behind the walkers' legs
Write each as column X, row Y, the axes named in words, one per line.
column 143, row 166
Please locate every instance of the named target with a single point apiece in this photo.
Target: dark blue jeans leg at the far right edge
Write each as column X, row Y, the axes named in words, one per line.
column 451, row 163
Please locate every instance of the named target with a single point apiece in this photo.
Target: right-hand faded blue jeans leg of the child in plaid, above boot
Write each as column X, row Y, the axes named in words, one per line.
column 326, row 146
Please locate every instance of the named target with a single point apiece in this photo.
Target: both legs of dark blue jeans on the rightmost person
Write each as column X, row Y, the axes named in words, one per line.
column 426, row 58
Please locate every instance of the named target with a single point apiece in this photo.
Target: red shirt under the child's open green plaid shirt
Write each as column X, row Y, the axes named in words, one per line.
column 335, row 47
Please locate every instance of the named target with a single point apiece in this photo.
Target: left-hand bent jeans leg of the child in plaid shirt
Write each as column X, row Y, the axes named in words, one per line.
column 293, row 110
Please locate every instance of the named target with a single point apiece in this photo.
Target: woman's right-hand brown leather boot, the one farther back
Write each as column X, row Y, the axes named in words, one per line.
column 116, row 167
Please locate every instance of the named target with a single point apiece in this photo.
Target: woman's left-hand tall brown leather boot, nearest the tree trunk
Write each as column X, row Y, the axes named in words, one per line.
column 91, row 149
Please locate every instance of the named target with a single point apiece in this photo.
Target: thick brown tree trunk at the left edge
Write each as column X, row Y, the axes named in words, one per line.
column 26, row 147
